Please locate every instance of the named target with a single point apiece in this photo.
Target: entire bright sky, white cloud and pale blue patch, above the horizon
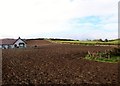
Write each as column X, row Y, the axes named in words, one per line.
column 73, row 19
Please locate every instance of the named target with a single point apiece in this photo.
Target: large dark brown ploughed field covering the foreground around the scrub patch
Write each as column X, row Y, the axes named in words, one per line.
column 56, row 64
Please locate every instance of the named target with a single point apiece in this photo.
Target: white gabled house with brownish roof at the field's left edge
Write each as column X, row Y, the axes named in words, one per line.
column 12, row 43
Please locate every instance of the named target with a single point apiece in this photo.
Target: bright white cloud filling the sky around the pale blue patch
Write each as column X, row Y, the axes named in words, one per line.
column 26, row 17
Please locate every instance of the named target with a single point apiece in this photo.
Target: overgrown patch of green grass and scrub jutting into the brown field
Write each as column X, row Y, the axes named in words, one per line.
column 106, row 56
